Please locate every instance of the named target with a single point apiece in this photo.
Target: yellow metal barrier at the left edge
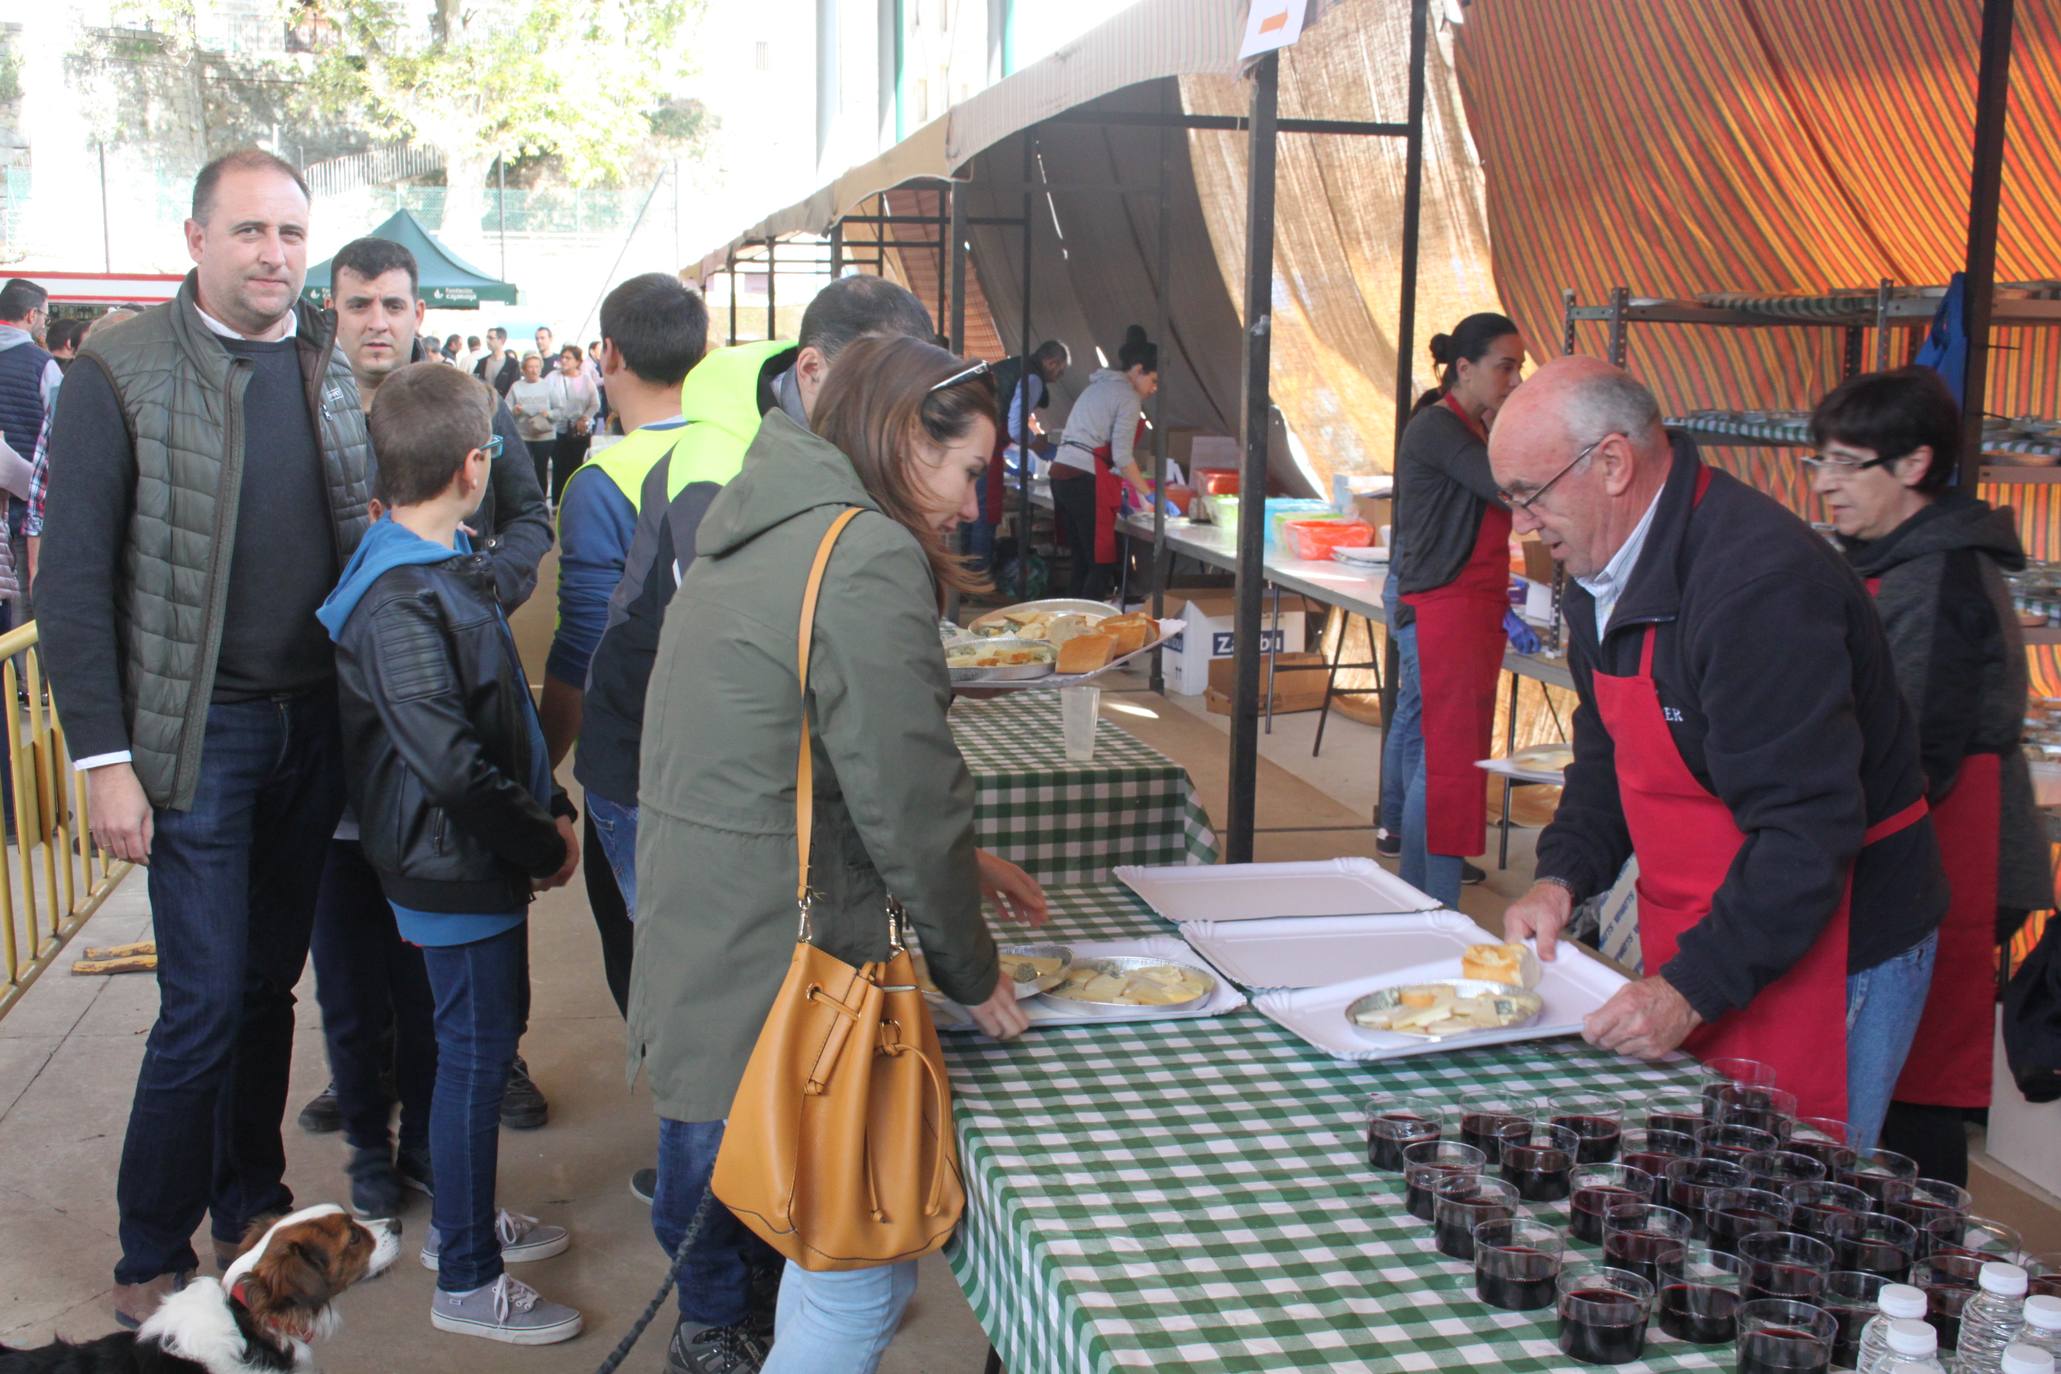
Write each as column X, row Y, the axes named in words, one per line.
column 53, row 877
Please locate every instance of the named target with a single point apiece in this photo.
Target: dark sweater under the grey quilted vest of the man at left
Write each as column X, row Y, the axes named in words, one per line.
column 285, row 547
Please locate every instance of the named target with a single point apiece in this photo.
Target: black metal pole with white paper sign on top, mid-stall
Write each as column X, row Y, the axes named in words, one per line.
column 1246, row 646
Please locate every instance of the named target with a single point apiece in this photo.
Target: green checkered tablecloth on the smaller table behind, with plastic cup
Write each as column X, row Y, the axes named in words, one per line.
column 1073, row 823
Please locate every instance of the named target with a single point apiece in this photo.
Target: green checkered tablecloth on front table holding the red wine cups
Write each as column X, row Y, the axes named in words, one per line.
column 1194, row 1196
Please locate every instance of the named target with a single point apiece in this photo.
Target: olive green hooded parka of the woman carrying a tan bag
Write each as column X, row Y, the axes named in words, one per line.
column 716, row 852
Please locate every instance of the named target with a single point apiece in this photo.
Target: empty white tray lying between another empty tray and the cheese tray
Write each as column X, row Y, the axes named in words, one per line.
column 1320, row 951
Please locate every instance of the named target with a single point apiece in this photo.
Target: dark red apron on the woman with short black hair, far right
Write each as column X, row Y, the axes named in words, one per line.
column 1951, row 1058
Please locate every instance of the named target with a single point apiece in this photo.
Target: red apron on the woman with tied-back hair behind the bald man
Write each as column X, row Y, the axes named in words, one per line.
column 1460, row 654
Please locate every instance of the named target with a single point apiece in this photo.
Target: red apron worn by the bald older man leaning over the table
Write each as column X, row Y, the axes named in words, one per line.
column 1685, row 839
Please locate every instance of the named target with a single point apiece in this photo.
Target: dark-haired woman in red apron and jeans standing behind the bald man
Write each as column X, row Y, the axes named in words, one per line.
column 1454, row 572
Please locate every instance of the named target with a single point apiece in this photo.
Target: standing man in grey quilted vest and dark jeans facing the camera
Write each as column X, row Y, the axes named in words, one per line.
column 215, row 481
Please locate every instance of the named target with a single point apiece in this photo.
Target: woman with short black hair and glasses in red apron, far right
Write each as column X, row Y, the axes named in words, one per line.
column 1934, row 561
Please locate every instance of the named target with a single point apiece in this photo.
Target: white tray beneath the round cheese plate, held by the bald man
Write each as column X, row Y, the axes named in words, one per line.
column 1574, row 988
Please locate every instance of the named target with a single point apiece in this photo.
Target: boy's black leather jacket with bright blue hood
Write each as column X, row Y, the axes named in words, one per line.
column 444, row 757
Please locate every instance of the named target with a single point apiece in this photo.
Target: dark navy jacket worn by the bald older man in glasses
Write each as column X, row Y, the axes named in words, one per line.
column 1782, row 697
